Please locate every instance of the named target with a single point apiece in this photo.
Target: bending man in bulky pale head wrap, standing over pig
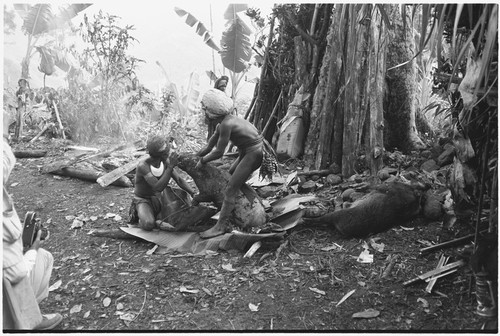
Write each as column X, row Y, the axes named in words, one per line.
column 252, row 150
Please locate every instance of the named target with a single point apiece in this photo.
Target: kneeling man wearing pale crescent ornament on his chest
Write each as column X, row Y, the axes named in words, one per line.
column 151, row 178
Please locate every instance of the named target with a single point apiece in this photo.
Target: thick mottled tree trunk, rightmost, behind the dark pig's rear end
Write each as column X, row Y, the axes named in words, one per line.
column 400, row 111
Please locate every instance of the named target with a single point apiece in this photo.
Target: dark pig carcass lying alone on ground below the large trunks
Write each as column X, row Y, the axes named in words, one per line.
column 386, row 206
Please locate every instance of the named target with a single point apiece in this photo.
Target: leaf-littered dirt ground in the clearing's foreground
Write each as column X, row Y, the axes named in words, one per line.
column 116, row 284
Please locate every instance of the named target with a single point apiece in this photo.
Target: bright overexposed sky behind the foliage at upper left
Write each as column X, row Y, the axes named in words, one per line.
column 162, row 36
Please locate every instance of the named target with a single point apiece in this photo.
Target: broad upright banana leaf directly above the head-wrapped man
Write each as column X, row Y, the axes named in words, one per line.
column 236, row 47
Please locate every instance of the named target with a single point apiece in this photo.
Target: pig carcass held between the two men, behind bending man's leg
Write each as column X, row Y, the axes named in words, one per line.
column 211, row 182
